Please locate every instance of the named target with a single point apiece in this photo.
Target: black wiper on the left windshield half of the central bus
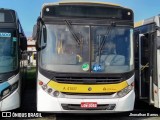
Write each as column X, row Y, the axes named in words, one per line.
column 76, row 38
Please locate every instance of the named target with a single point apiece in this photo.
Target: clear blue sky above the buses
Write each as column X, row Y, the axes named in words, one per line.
column 29, row 10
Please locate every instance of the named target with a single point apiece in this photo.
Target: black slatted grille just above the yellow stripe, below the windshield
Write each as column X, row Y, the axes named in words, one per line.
column 88, row 80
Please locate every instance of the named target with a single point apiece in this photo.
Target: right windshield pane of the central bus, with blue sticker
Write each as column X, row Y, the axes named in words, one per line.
column 112, row 49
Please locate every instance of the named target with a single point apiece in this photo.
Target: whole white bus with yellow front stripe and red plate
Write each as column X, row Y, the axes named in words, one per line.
column 85, row 58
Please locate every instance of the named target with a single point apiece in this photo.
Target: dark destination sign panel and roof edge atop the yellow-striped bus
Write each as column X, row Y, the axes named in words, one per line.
column 113, row 10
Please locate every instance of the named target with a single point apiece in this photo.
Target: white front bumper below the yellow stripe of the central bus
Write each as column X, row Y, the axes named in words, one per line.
column 47, row 103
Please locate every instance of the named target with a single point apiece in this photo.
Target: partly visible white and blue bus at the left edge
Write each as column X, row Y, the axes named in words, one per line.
column 12, row 43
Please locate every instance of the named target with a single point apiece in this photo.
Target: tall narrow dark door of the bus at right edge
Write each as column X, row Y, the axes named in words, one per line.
column 144, row 70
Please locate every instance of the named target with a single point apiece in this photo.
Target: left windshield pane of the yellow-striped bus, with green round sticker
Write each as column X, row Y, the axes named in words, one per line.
column 63, row 53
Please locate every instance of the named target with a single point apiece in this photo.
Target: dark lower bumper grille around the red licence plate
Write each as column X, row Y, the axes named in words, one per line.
column 78, row 107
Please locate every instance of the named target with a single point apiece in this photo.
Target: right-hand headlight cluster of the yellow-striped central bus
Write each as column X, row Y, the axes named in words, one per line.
column 125, row 91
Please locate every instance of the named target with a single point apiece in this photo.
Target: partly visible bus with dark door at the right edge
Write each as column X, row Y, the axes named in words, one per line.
column 147, row 57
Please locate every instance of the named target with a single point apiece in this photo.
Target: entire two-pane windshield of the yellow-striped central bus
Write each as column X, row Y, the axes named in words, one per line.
column 101, row 49
